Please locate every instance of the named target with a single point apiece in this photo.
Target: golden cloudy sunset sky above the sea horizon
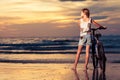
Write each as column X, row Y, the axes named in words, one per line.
column 54, row 18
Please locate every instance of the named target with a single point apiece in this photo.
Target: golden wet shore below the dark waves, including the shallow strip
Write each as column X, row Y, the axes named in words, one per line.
column 59, row 68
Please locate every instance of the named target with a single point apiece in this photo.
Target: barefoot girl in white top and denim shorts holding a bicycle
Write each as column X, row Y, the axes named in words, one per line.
column 85, row 35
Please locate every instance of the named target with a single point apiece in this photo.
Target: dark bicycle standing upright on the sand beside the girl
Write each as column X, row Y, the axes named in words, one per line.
column 98, row 53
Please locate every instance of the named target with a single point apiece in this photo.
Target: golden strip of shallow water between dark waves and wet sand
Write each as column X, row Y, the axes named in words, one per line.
column 51, row 58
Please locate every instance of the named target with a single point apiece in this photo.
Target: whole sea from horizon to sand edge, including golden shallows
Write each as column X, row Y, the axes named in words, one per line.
column 51, row 49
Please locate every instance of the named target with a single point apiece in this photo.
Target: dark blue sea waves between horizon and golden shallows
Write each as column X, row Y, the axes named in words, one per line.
column 50, row 45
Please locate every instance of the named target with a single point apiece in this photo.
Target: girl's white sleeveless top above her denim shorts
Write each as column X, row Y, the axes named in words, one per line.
column 86, row 26
